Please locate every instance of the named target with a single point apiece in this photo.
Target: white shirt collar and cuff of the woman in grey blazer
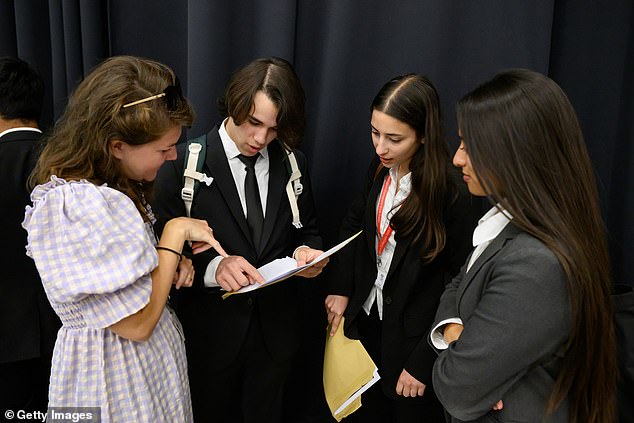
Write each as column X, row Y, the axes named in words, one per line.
column 489, row 227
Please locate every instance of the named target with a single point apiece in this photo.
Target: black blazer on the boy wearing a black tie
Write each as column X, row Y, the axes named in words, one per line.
column 215, row 328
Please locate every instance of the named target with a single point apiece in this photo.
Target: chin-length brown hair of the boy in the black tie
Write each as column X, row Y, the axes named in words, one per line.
column 277, row 79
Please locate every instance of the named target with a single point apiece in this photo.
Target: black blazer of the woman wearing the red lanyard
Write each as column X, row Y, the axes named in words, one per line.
column 412, row 288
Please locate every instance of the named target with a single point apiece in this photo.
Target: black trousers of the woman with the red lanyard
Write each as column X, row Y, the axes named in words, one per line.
column 377, row 407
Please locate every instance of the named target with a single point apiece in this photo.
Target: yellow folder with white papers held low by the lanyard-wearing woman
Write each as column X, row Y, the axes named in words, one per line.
column 348, row 372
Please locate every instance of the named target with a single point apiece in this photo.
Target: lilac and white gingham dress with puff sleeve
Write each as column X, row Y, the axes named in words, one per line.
column 95, row 254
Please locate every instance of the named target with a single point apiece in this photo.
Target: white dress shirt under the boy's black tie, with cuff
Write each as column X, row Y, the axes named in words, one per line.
column 239, row 175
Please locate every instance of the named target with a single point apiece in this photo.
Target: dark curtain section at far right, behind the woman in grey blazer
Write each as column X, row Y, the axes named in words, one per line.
column 592, row 58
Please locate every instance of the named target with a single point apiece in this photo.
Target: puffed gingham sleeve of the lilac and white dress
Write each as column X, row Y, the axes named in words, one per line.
column 92, row 249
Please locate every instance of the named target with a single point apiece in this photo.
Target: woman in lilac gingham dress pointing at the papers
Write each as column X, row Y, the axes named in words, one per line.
column 120, row 349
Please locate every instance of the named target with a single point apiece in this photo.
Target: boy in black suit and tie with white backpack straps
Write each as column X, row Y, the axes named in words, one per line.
column 240, row 349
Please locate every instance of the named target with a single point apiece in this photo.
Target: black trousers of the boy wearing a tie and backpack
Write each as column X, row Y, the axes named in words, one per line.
column 249, row 390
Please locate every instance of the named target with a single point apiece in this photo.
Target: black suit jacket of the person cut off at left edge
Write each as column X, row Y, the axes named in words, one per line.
column 28, row 325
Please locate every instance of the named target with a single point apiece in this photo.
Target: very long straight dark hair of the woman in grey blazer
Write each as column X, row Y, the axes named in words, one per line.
column 527, row 150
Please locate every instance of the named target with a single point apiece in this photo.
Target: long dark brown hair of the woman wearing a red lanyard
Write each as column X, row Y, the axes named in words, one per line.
column 412, row 99
